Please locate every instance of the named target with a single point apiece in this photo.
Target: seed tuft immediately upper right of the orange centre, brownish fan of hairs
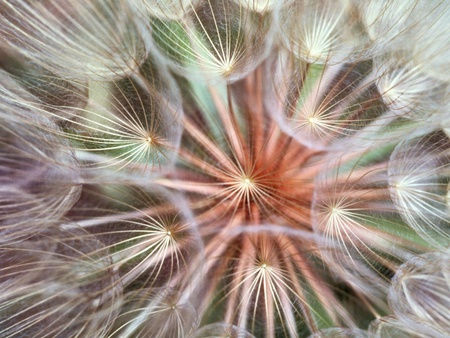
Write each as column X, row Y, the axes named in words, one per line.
column 325, row 106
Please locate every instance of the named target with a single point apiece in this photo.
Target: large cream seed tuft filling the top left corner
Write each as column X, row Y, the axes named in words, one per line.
column 98, row 40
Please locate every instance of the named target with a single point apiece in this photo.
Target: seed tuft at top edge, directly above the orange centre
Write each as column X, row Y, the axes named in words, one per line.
column 217, row 39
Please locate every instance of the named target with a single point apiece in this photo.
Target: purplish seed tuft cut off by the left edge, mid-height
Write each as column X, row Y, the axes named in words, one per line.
column 39, row 175
